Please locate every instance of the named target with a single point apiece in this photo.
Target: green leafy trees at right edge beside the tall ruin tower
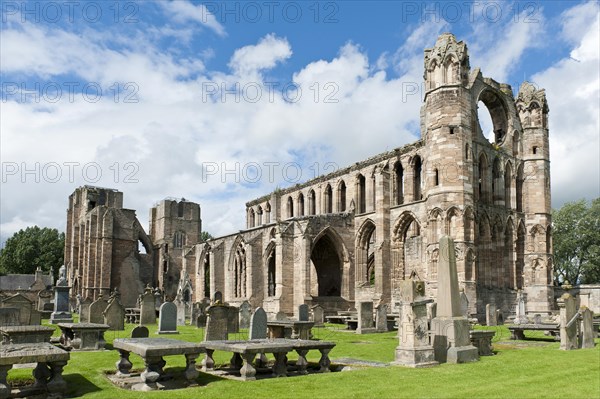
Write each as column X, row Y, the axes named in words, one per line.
column 576, row 242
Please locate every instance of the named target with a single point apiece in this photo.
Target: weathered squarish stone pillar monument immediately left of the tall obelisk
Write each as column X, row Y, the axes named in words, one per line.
column 414, row 349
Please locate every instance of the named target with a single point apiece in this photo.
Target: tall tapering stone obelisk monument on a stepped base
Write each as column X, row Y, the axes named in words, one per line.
column 451, row 341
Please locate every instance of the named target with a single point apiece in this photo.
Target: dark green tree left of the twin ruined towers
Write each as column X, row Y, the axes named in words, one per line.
column 31, row 248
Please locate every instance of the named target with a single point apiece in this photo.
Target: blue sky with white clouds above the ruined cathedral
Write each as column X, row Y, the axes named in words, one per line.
column 129, row 95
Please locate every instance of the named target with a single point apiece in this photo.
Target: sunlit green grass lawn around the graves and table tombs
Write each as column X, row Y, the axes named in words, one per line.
column 534, row 368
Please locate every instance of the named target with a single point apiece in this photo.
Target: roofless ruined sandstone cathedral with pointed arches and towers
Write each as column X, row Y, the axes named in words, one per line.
column 353, row 235
